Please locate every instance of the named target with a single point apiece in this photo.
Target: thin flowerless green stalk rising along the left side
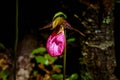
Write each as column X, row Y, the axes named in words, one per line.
column 16, row 41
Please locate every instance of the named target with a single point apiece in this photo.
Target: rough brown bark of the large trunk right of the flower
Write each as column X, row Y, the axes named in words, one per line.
column 98, row 54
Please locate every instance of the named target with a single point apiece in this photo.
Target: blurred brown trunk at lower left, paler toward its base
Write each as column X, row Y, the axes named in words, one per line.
column 24, row 64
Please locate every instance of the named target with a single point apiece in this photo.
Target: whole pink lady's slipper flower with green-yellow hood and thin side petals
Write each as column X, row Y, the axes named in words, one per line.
column 56, row 41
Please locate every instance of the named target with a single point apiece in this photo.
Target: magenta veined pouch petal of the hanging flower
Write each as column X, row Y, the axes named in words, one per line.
column 56, row 44
